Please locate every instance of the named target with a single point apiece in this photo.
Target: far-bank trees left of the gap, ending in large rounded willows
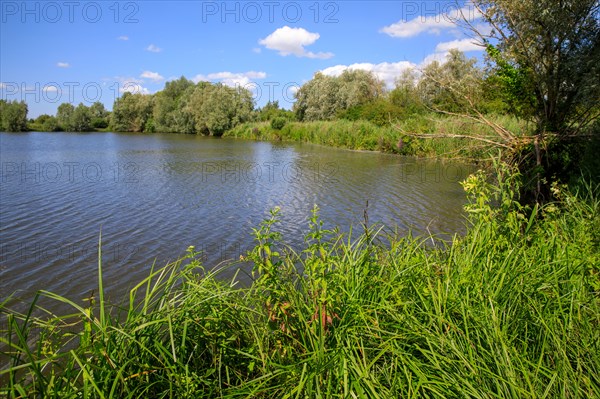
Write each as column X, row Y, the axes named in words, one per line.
column 181, row 107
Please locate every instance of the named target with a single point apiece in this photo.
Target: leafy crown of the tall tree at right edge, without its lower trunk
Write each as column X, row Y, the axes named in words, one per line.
column 547, row 59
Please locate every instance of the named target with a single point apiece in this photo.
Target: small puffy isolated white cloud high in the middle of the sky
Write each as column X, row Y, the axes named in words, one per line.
column 288, row 41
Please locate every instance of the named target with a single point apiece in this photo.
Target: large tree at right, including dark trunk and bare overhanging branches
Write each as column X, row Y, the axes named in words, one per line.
column 545, row 64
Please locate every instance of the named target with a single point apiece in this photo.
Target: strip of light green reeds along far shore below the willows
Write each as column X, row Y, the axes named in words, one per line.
column 398, row 138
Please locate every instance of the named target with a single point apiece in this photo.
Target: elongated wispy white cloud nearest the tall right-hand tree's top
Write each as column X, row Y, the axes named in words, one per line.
column 447, row 18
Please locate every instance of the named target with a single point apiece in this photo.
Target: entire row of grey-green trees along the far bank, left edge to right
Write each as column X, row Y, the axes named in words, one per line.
column 211, row 109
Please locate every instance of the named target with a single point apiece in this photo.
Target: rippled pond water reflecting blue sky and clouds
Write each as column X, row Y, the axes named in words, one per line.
column 153, row 196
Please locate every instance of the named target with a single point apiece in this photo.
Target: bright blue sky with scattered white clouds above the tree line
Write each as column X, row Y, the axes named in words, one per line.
column 70, row 51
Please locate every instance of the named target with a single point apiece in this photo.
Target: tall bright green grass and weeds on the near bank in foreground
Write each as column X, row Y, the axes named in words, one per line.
column 511, row 310
